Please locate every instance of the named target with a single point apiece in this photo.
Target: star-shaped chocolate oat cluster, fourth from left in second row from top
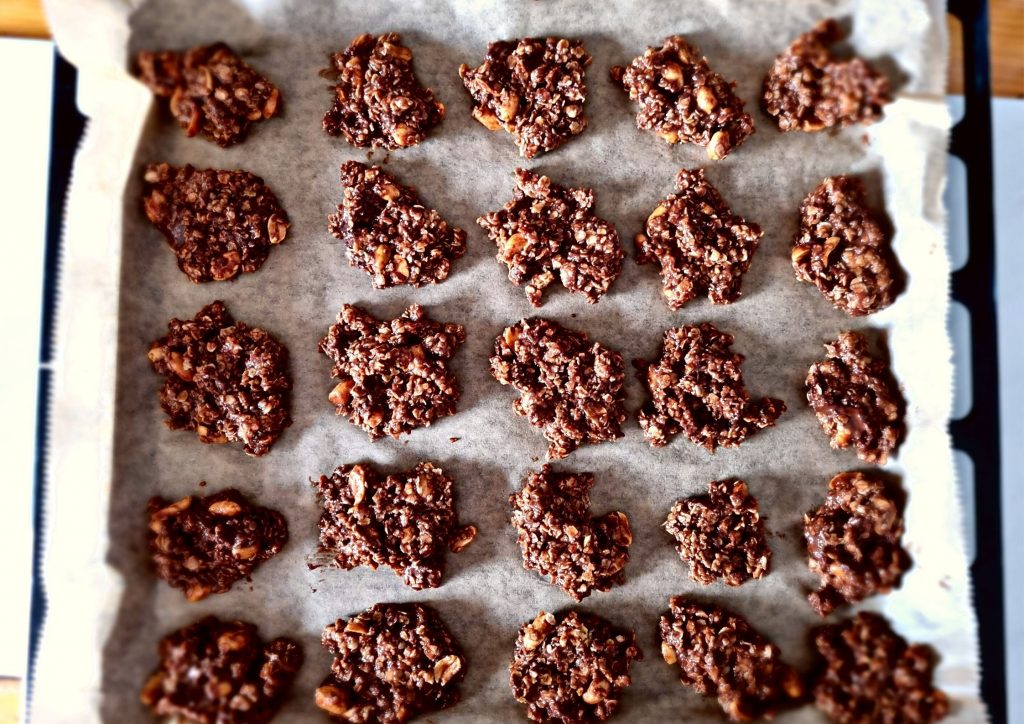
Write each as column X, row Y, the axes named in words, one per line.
column 699, row 243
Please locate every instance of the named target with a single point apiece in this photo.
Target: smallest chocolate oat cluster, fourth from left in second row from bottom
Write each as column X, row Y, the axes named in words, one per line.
column 721, row 535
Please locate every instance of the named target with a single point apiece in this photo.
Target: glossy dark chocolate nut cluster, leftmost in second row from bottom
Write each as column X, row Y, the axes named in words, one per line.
column 204, row 545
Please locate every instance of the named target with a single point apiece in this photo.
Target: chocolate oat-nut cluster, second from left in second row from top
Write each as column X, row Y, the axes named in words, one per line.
column 390, row 234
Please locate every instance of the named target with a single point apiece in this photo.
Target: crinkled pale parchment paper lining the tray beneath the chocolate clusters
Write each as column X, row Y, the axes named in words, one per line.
column 121, row 287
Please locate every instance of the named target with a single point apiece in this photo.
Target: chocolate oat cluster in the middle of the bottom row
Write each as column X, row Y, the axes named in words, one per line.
column 579, row 674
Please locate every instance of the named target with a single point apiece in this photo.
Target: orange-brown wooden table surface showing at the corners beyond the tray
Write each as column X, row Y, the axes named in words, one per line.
column 25, row 19
